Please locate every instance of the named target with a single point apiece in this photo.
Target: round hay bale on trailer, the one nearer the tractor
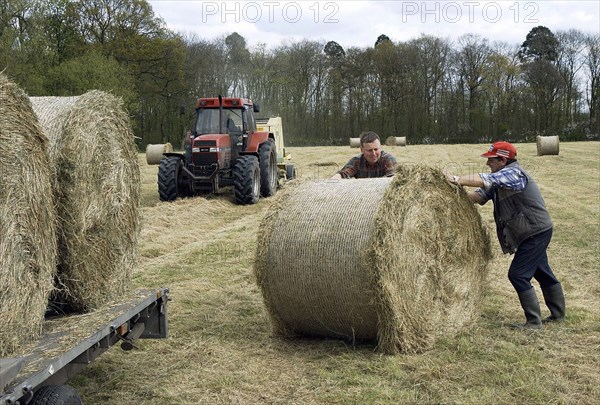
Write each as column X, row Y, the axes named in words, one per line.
column 97, row 194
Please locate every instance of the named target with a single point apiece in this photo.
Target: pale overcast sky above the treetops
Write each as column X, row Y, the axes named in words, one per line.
column 359, row 23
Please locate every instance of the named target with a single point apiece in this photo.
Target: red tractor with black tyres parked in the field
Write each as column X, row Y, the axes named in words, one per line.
column 224, row 149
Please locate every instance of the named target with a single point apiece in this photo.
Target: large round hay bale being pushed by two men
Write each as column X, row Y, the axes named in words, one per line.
column 383, row 260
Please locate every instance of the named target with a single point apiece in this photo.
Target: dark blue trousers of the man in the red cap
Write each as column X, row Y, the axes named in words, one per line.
column 531, row 261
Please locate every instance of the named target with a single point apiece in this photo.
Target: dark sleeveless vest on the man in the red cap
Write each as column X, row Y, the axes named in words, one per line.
column 519, row 214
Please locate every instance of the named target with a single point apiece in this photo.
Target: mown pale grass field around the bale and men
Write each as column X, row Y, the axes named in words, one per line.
column 221, row 350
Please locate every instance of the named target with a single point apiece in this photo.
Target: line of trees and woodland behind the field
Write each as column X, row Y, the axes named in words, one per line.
column 429, row 89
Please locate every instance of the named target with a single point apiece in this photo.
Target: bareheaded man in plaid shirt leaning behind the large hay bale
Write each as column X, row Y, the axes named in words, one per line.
column 372, row 162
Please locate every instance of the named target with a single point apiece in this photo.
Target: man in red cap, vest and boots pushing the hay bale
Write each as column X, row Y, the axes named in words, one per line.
column 524, row 228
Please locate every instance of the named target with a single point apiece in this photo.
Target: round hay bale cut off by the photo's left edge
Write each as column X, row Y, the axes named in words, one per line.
column 27, row 220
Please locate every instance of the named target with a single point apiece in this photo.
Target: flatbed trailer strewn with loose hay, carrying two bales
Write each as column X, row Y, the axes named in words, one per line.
column 70, row 343
